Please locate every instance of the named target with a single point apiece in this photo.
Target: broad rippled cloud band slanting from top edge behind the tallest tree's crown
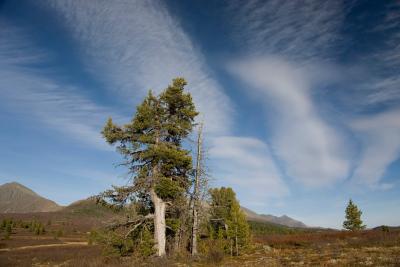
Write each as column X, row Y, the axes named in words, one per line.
column 133, row 46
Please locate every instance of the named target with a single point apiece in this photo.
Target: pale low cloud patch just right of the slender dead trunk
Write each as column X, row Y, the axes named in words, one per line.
column 246, row 163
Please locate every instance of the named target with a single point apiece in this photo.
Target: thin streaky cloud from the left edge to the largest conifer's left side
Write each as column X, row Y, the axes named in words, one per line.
column 45, row 100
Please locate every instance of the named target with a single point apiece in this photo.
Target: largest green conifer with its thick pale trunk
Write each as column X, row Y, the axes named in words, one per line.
column 152, row 147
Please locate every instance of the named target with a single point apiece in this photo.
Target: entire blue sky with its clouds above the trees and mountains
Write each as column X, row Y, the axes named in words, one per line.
column 301, row 99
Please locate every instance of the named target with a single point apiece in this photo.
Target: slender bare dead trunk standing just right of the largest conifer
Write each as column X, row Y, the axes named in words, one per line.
column 196, row 192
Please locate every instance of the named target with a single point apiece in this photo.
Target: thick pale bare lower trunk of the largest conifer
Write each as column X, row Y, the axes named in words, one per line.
column 159, row 222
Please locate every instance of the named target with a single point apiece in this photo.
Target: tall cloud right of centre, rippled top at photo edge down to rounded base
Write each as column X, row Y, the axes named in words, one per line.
column 285, row 40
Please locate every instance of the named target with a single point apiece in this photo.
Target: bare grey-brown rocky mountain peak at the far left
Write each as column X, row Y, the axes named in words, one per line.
column 16, row 198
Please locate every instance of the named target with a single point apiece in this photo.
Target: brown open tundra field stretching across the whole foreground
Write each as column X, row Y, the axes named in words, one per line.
column 296, row 248
